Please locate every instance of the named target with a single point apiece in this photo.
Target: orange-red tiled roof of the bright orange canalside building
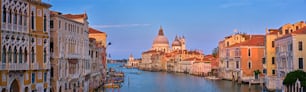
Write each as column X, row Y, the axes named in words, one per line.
column 255, row 40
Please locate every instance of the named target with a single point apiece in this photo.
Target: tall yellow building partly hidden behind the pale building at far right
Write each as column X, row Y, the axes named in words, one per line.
column 270, row 64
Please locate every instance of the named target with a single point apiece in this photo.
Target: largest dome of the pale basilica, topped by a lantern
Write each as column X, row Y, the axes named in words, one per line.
column 161, row 39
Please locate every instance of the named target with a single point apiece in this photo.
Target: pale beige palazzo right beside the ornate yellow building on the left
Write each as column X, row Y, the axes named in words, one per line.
column 69, row 47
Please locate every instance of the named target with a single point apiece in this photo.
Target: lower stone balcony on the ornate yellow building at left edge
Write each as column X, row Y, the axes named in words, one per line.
column 14, row 66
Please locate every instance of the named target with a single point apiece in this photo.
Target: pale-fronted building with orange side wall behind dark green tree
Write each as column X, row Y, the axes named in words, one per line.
column 290, row 53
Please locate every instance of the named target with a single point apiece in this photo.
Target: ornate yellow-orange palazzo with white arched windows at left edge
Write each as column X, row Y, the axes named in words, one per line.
column 24, row 50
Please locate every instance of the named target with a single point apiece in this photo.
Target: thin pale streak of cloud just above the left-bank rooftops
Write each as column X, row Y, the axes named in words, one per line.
column 120, row 25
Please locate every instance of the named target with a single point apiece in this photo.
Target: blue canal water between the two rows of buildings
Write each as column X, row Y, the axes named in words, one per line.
column 175, row 82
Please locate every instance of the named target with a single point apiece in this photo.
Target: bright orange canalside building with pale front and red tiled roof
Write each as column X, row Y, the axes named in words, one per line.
column 245, row 58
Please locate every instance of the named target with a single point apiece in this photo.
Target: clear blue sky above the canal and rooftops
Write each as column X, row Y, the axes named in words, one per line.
column 132, row 25
